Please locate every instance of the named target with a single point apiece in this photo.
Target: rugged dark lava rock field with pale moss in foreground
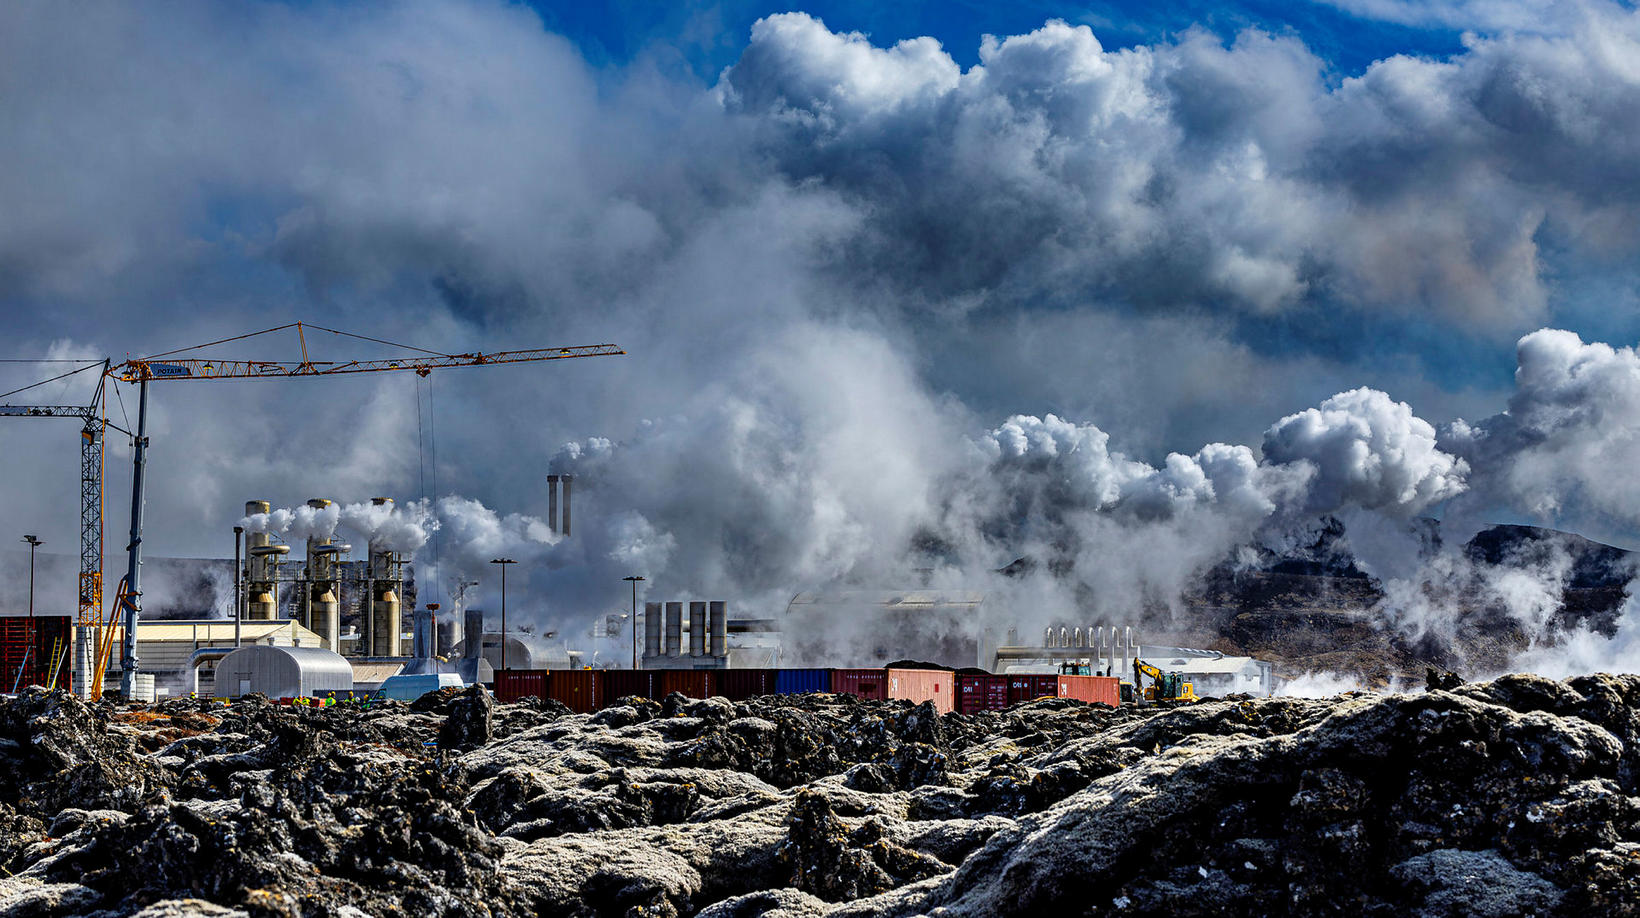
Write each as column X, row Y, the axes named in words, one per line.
column 1515, row 798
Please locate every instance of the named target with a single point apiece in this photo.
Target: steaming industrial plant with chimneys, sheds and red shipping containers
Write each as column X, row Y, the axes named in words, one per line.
column 319, row 616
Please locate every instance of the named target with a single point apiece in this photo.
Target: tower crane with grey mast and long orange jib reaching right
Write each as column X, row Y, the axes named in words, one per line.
column 180, row 366
